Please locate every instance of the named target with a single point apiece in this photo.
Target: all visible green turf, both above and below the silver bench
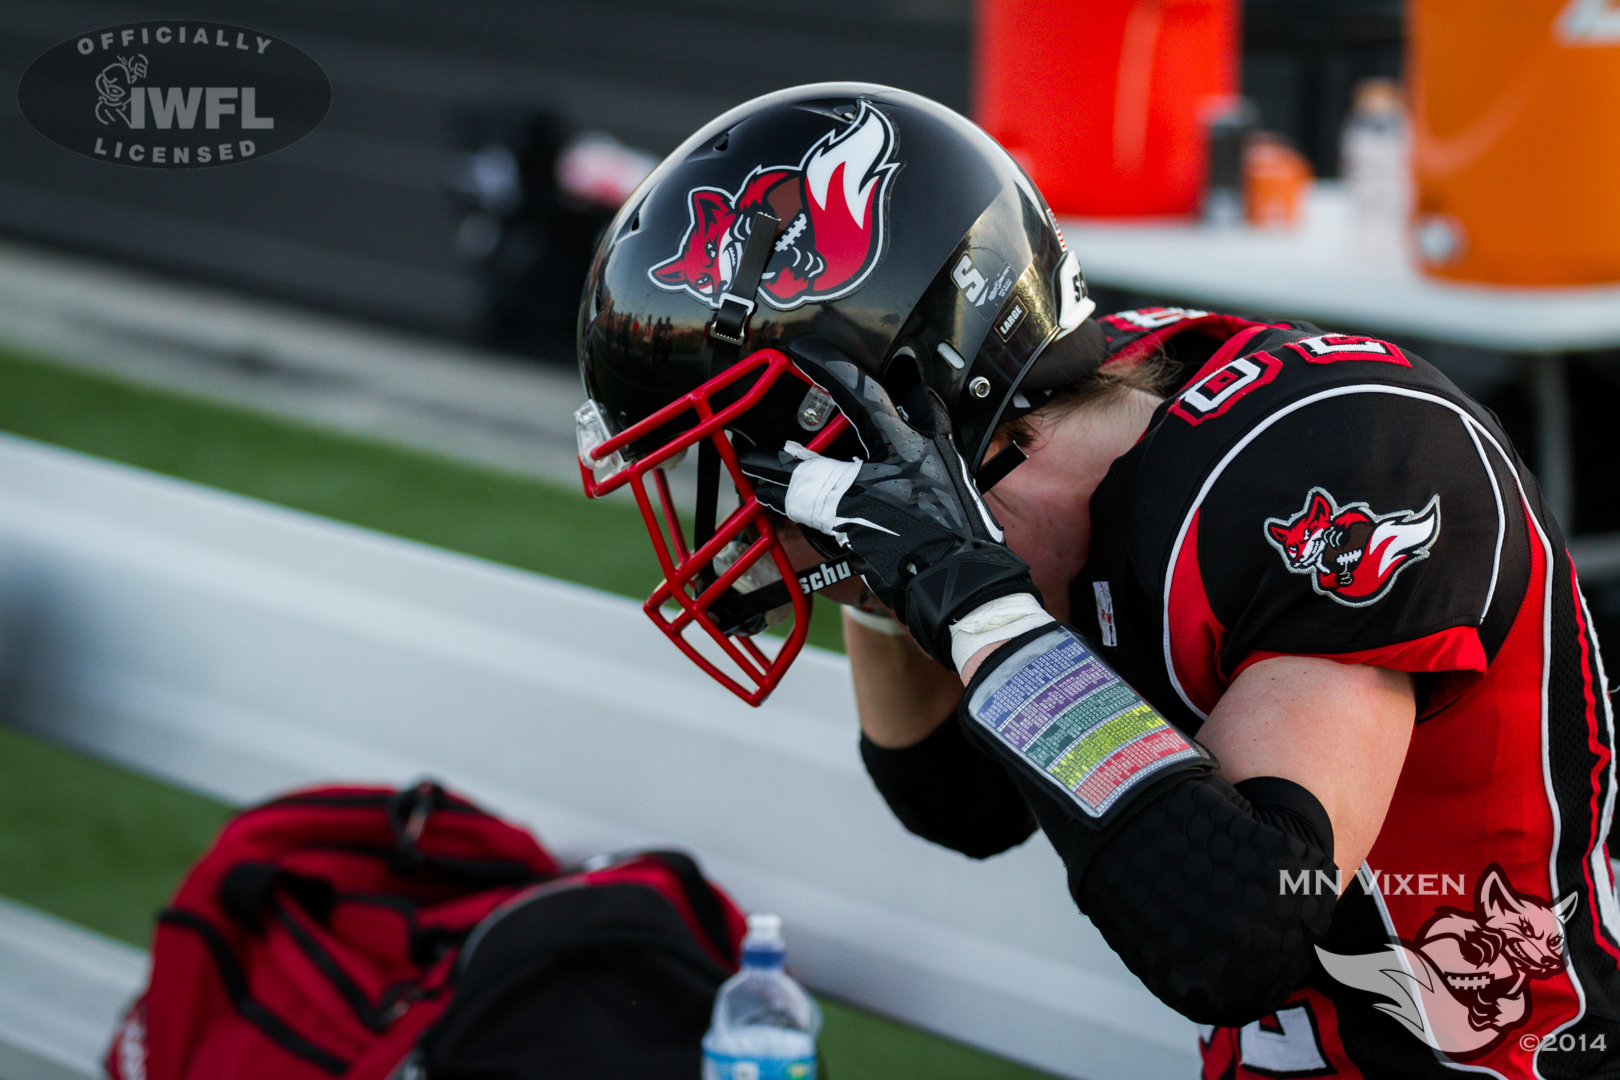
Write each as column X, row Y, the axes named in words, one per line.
column 104, row 848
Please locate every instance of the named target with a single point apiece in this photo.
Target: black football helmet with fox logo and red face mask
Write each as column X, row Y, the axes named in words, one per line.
column 879, row 221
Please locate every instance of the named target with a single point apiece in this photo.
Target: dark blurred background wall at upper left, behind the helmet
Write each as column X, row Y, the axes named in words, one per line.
column 356, row 216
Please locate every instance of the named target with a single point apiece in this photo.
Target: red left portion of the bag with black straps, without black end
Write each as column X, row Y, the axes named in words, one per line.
column 320, row 935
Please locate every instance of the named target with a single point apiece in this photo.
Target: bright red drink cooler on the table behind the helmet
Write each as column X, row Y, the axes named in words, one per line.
column 1104, row 101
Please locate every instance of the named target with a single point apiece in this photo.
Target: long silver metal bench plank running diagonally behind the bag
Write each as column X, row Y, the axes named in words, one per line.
column 241, row 648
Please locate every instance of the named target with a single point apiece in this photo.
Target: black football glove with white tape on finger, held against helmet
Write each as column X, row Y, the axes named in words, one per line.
column 911, row 516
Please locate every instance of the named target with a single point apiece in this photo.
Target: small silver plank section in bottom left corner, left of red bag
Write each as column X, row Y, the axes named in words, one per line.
column 62, row 990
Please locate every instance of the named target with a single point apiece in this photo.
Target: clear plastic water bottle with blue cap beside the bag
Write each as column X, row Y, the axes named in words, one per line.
column 765, row 1024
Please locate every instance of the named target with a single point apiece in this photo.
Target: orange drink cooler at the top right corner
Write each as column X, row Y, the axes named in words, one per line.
column 1517, row 140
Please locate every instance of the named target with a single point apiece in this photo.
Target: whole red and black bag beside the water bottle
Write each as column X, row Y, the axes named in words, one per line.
column 326, row 935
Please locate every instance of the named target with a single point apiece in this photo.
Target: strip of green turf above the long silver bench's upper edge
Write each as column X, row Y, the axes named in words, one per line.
column 495, row 516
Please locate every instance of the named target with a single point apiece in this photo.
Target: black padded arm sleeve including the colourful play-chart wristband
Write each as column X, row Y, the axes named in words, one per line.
column 1213, row 904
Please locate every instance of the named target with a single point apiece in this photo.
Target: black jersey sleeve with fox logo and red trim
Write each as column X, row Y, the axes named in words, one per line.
column 1371, row 524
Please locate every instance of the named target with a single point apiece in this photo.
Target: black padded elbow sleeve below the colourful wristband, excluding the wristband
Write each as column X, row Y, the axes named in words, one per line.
column 1190, row 891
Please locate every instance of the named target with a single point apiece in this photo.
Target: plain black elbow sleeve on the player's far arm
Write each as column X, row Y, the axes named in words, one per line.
column 952, row 794
